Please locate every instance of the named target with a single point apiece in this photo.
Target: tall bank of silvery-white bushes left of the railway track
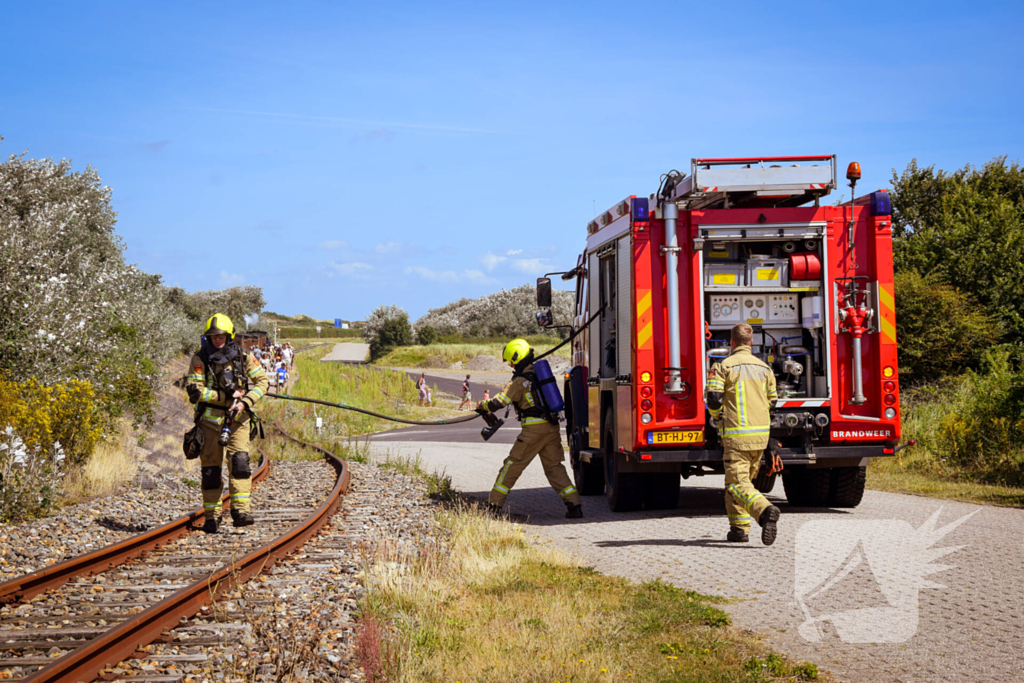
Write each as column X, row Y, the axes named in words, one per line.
column 72, row 309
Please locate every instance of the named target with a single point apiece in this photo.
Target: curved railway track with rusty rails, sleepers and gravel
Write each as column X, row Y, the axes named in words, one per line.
column 78, row 620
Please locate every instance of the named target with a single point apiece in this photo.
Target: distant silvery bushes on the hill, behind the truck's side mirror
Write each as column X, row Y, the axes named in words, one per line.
column 505, row 314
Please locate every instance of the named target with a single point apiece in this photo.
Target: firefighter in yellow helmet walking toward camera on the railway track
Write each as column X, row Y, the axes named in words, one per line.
column 225, row 383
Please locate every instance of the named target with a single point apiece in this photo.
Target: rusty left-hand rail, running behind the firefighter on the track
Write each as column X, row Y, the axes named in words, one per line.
column 31, row 585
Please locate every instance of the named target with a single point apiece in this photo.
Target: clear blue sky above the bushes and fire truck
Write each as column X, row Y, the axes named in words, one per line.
column 344, row 155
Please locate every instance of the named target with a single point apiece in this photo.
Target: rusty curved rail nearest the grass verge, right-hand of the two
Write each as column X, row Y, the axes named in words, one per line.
column 87, row 663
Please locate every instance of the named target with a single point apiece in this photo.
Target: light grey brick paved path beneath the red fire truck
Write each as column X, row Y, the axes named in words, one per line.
column 972, row 630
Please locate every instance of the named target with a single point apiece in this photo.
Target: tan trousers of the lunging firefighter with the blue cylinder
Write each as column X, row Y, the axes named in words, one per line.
column 542, row 440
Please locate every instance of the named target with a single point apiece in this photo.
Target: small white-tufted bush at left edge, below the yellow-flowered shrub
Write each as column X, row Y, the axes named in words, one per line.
column 30, row 477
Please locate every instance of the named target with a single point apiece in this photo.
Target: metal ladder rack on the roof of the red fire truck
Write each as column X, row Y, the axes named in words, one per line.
column 752, row 183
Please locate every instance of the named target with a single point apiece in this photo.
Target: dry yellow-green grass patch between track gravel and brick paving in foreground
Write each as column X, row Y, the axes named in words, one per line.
column 480, row 603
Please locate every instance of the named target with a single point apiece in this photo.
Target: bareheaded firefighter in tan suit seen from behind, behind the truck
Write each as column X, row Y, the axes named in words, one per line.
column 741, row 396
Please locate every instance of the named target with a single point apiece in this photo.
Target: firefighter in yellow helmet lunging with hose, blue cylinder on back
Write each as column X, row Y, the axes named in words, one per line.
column 540, row 436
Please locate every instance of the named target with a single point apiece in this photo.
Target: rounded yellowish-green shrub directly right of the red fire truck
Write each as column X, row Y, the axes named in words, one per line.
column 941, row 330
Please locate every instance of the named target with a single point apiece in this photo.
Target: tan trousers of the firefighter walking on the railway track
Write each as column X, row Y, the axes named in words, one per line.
column 212, row 460
